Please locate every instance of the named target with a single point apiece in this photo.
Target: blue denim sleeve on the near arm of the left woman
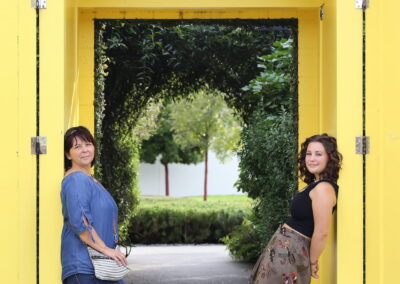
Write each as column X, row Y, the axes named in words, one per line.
column 76, row 196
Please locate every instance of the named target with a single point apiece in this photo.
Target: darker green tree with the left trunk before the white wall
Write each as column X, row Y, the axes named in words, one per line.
column 162, row 143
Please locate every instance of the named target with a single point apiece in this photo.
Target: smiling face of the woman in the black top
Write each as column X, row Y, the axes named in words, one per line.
column 316, row 158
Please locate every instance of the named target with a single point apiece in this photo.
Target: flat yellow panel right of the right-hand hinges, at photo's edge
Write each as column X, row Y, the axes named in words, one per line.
column 382, row 124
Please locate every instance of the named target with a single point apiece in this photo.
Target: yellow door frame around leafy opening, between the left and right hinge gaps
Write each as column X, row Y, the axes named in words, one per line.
column 329, row 84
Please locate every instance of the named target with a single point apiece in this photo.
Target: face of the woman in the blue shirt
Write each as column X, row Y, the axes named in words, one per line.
column 81, row 153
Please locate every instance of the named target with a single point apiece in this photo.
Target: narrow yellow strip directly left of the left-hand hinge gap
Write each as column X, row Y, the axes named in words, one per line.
column 27, row 129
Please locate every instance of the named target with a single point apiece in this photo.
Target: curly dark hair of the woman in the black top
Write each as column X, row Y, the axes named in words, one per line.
column 333, row 166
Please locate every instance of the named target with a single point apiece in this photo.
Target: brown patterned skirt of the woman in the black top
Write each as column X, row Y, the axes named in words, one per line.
column 285, row 260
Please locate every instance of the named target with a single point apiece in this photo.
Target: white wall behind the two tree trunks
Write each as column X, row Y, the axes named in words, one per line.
column 188, row 180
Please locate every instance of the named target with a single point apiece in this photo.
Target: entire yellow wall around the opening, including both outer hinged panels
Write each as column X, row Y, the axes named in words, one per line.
column 329, row 101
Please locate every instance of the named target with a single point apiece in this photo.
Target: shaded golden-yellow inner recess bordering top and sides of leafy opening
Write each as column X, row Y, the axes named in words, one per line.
column 308, row 52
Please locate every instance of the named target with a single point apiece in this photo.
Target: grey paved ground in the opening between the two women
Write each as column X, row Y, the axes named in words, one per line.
column 185, row 264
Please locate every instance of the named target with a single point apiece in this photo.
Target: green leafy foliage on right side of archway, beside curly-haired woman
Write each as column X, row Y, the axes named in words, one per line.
column 268, row 153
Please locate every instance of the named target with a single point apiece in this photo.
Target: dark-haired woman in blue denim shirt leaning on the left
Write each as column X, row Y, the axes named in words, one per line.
column 90, row 213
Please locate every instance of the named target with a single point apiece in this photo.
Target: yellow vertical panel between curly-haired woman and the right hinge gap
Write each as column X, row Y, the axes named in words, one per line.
column 349, row 125
